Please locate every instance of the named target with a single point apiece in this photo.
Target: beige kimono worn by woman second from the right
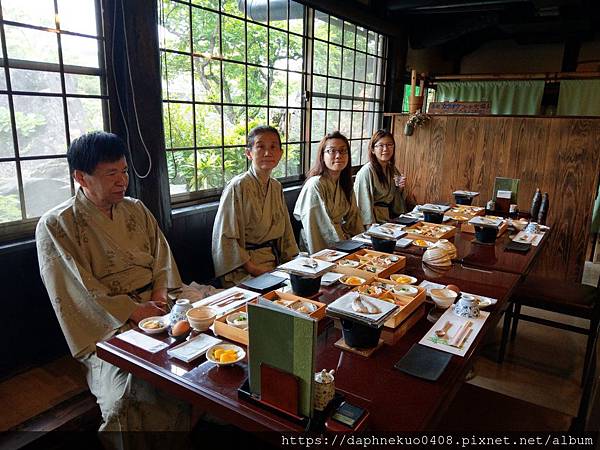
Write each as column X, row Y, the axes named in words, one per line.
column 326, row 214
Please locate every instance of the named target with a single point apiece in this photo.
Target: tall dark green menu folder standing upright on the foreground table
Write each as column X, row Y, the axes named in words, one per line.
column 286, row 340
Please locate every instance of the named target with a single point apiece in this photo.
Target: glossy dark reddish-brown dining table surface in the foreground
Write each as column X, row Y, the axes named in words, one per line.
column 395, row 401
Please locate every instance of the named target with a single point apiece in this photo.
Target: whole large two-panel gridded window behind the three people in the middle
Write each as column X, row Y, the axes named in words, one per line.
column 225, row 73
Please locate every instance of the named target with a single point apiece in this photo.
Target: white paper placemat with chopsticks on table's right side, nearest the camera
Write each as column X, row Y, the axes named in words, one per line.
column 456, row 325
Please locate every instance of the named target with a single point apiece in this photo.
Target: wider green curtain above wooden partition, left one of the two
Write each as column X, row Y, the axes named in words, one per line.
column 506, row 97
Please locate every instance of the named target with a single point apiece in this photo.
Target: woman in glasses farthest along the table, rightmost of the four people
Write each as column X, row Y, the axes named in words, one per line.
column 379, row 186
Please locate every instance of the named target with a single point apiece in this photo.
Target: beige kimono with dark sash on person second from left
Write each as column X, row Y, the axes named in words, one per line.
column 252, row 223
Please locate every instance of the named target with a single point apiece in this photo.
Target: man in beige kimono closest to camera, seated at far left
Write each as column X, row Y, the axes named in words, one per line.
column 106, row 265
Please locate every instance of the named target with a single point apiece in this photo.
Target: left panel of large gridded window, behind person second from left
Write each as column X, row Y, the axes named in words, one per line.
column 237, row 82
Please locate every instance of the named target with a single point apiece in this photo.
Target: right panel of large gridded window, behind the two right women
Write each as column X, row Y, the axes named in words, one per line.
column 348, row 86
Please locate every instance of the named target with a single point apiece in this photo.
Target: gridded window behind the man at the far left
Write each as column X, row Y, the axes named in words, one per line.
column 52, row 89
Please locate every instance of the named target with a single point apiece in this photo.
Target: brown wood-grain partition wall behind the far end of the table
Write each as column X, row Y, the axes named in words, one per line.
column 561, row 156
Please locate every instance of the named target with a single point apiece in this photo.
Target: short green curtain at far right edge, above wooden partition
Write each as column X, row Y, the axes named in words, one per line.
column 579, row 98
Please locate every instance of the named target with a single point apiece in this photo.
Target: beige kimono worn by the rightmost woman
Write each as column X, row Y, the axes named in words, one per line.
column 378, row 202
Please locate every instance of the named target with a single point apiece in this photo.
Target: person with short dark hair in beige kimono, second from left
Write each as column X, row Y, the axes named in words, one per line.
column 252, row 233
